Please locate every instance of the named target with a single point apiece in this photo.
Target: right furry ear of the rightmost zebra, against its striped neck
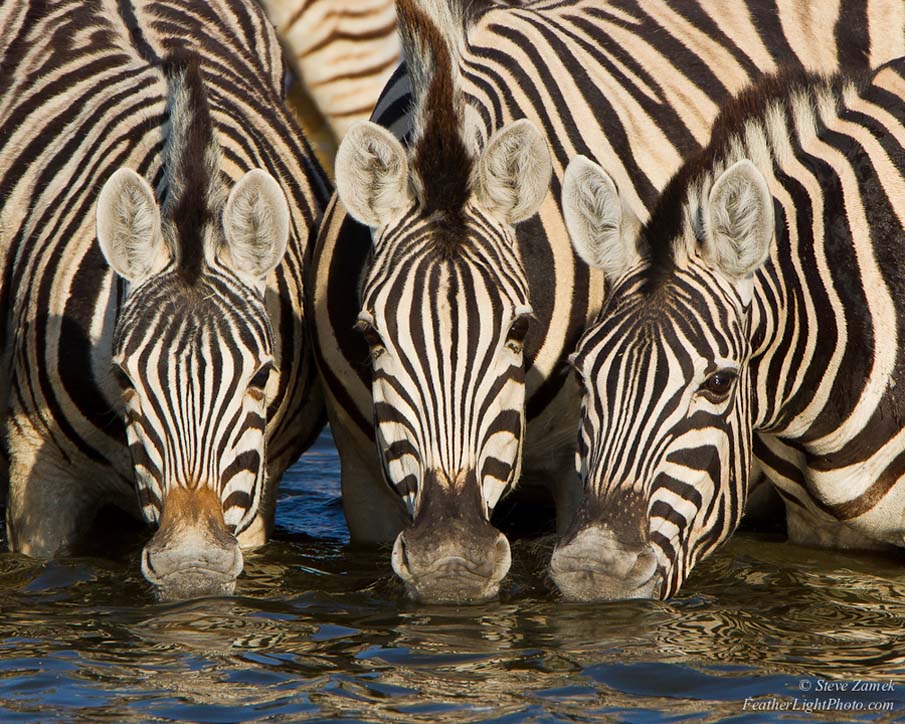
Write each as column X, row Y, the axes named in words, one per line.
column 738, row 220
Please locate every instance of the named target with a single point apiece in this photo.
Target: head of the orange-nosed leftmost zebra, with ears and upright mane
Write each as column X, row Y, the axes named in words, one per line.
column 192, row 346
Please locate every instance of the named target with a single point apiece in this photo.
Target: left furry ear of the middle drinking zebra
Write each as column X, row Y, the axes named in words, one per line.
column 372, row 174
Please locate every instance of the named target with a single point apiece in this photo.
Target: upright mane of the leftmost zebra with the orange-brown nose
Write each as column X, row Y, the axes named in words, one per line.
column 192, row 166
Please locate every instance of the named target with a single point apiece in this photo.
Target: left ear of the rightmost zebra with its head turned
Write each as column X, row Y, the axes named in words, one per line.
column 602, row 231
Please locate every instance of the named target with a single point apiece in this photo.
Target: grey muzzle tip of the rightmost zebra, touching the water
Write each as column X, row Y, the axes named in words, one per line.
column 595, row 565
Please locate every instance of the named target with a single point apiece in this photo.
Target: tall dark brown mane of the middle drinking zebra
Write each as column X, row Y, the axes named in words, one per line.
column 441, row 160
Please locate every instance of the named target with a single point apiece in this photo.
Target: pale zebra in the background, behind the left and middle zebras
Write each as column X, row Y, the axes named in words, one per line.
column 342, row 51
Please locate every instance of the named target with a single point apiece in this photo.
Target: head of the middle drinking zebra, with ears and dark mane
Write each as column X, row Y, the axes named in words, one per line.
column 445, row 310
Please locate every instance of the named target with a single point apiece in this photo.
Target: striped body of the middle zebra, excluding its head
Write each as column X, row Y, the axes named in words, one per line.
column 632, row 85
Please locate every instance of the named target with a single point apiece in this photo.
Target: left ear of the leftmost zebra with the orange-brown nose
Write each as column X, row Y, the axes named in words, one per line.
column 128, row 227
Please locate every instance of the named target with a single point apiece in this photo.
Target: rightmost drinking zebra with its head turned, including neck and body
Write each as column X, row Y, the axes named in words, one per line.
column 720, row 350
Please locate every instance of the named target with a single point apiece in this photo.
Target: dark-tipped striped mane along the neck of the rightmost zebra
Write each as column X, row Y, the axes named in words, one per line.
column 752, row 125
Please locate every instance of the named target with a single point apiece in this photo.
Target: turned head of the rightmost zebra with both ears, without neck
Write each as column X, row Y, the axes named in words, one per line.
column 665, row 438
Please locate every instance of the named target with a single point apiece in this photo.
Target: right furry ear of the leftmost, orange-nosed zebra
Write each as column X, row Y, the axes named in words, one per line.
column 256, row 225
